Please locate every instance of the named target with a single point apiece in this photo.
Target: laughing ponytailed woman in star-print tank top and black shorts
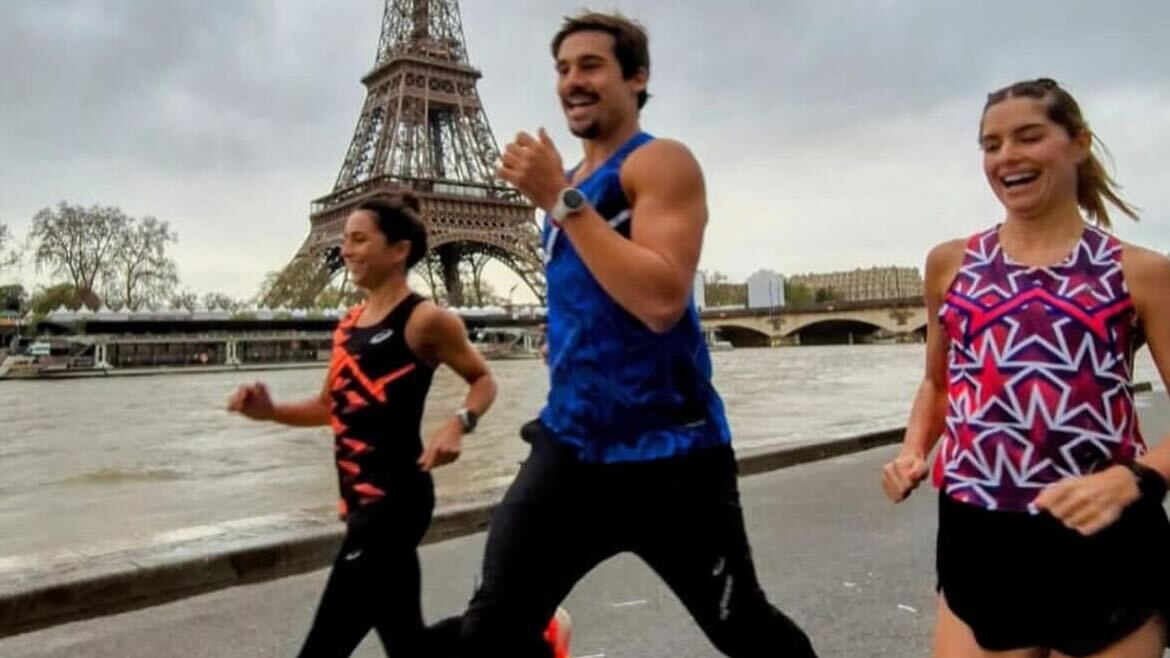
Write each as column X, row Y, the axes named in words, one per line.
column 1052, row 538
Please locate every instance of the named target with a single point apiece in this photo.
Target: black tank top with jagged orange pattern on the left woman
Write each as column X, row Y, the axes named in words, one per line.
column 378, row 390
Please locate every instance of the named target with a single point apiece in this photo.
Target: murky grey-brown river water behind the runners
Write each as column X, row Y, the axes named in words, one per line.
column 100, row 461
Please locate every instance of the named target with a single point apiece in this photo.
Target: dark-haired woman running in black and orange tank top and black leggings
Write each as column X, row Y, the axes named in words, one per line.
column 384, row 357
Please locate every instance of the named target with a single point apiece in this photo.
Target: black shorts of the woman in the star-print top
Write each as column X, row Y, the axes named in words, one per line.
column 1022, row 581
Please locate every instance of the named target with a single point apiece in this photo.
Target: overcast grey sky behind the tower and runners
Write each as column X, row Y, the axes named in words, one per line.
column 834, row 134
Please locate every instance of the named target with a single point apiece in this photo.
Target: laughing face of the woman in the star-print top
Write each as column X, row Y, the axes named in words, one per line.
column 1029, row 160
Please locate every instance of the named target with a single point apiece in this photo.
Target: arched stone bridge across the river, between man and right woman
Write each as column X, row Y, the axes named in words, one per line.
column 897, row 320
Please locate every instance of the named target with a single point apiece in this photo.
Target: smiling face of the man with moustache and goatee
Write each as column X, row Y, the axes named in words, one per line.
column 595, row 95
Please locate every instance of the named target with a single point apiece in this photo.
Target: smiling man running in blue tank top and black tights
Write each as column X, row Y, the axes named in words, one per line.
column 632, row 451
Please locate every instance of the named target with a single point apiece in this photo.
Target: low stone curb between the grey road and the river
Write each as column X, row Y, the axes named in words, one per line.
column 81, row 587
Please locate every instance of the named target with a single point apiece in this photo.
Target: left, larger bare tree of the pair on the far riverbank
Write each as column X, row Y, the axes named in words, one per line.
column 80, row 244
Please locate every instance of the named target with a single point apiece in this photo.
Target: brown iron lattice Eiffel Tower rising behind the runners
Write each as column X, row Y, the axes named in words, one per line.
column 423, row 128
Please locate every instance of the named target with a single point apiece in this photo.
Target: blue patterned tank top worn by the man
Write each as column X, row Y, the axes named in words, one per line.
column 620, row 392
